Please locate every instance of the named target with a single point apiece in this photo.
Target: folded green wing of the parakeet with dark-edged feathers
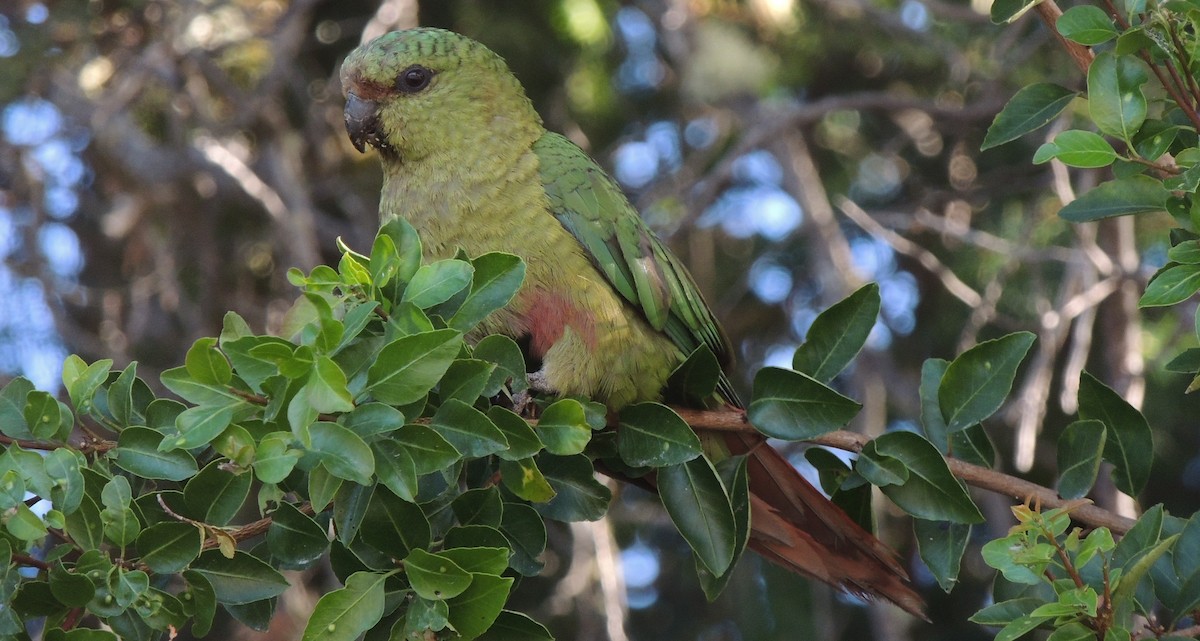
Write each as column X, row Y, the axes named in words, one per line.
column 640, row 267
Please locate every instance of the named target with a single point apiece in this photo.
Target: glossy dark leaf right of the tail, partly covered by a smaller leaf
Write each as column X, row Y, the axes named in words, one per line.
column 931, row 492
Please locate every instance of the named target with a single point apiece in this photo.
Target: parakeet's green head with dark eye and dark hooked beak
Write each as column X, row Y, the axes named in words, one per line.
column 412, row 93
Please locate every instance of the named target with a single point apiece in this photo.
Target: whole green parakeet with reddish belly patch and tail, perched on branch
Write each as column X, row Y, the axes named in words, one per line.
column 607, row 309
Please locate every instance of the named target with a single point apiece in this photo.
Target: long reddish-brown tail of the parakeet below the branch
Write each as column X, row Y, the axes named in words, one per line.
column 797, row 528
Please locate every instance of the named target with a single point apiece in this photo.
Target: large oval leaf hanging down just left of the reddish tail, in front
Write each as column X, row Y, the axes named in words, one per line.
column 699, row 507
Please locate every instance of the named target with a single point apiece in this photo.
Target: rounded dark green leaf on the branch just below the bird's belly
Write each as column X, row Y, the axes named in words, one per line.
column 652, row 435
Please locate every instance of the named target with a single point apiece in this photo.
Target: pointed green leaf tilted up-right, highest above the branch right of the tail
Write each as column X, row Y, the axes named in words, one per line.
column 979, row 381
